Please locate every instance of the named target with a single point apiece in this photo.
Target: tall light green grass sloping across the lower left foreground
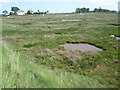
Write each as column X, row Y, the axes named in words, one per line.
column 20, row 73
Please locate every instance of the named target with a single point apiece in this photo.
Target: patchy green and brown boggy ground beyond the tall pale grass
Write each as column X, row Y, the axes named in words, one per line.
column 38, row 39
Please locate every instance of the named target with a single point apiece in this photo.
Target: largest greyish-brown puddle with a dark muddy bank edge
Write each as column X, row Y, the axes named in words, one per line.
column 81, row 47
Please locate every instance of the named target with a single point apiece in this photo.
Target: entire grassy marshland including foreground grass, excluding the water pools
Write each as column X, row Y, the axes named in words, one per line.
column 33, row 57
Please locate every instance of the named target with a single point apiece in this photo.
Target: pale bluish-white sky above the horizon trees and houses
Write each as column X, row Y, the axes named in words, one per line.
column 59, row 6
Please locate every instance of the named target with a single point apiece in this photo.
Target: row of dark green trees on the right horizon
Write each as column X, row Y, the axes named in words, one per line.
column 82, row 10
